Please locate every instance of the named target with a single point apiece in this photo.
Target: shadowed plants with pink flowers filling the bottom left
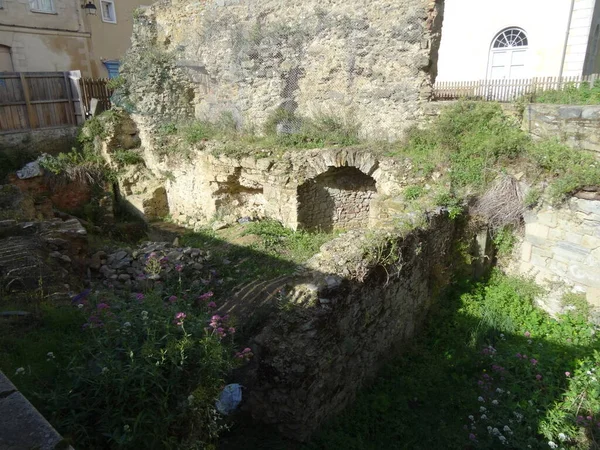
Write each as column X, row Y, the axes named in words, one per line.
column 127, row 371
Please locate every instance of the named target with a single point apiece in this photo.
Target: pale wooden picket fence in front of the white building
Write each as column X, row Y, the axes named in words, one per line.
column 505, row 90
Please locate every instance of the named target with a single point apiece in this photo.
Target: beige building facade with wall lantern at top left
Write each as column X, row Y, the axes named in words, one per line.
column 60, row 35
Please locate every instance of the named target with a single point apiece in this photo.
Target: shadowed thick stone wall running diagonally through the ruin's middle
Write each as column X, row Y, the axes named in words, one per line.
column 336, row 325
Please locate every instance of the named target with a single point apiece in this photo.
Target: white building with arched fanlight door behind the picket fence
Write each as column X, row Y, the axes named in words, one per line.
column 498, row 39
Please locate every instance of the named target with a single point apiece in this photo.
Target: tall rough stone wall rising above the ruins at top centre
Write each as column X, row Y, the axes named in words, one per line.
column 373, row 62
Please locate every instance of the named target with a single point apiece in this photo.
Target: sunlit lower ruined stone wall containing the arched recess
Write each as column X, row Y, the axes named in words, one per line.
column 205, row 187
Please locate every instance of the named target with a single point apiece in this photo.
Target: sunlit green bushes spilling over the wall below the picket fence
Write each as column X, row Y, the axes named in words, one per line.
column 477, row 142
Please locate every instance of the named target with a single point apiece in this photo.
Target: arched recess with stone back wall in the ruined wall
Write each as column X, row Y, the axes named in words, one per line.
column 339, row 198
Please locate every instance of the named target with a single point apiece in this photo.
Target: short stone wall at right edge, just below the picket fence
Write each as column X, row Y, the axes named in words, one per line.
column 577, row 126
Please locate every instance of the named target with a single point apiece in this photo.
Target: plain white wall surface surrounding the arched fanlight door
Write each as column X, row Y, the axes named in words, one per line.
column 471, row 25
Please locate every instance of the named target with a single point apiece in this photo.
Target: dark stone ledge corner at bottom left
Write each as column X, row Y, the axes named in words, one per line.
column 21, row 425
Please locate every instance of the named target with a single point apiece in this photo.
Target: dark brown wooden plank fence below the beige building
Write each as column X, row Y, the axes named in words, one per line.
column 34, row 100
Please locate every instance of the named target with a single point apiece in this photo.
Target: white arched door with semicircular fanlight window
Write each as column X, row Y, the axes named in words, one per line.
column 508, row 55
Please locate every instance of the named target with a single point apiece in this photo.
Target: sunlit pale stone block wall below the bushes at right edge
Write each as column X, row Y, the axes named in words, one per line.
column 562, row 246
